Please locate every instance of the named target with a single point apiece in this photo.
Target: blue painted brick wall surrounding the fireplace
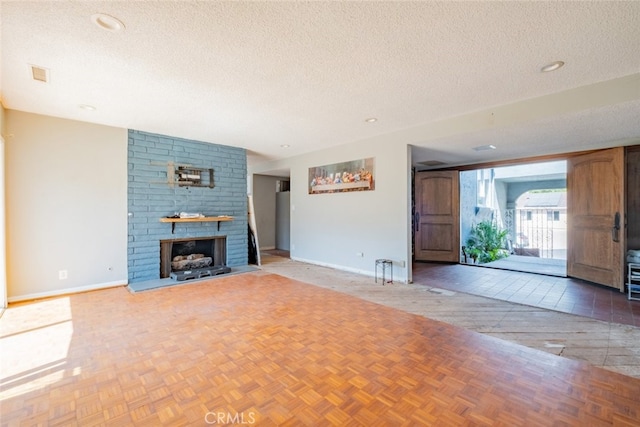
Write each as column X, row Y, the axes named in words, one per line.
column 150, row 198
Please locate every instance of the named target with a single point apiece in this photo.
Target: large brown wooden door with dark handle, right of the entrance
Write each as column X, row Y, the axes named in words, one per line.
column 595, row 225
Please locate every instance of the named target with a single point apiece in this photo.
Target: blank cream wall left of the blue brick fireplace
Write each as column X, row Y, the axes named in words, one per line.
column 66, row 189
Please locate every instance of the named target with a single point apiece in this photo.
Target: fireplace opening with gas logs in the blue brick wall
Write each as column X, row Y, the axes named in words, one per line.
column 193, row 258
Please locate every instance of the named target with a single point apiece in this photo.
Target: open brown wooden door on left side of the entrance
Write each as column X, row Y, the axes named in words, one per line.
column 437, row 216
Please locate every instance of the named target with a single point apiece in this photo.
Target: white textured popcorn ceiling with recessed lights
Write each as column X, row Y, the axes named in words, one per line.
column 443, row 76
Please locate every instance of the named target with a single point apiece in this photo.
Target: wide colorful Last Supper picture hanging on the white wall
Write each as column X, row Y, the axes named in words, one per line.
column 355, row 175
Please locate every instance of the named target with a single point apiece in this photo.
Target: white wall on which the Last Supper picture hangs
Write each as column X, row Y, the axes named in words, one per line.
column 330, row 229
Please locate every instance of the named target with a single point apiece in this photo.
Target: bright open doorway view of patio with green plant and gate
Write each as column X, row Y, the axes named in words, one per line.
column 515, row 217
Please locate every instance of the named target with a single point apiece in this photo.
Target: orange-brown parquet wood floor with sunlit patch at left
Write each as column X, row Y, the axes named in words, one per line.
column 262, row 349
